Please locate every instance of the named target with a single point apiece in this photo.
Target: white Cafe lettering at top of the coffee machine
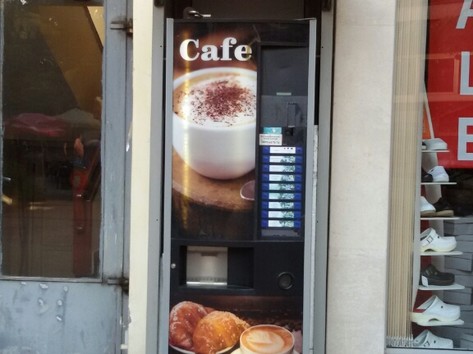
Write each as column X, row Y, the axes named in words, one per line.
column 210, row 52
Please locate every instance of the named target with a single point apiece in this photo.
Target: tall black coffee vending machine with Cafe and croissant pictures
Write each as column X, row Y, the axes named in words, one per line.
column 239, row 210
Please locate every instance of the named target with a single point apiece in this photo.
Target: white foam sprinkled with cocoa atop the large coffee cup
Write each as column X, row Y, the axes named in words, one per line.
column 227, row 100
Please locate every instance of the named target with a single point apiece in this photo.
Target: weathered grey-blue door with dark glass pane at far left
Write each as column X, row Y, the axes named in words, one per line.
column 63, row 161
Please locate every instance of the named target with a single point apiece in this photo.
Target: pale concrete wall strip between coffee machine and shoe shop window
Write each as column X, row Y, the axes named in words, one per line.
column 363, row 81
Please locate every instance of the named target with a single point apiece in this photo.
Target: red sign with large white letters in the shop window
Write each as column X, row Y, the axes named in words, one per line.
column 449, row 80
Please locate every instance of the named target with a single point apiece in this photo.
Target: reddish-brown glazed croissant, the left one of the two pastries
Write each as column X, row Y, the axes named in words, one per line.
column 183, row 319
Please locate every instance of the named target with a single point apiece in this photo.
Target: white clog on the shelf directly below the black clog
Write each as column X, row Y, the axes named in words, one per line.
column 435, row 309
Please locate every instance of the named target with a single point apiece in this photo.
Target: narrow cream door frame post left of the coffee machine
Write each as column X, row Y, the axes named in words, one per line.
column 146, row 176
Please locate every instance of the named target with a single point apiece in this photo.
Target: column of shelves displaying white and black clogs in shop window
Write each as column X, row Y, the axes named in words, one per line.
column 436, row 285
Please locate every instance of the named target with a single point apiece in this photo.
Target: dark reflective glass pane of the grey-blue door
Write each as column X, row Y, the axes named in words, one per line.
column 52, row 94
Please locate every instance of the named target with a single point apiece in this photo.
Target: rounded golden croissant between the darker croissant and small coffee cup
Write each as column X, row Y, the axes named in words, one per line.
column 216, row 331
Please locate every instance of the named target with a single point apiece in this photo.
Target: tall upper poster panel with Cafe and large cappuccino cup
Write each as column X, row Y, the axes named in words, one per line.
column 213, row 120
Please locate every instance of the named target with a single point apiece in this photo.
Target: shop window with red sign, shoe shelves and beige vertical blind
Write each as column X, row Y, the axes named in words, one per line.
column 430, row 301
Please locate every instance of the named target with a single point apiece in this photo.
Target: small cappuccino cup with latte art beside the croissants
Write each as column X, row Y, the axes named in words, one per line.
column 266, row 339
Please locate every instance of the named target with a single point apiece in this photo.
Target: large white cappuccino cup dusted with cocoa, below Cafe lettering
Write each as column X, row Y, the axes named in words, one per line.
column 214, row 121
